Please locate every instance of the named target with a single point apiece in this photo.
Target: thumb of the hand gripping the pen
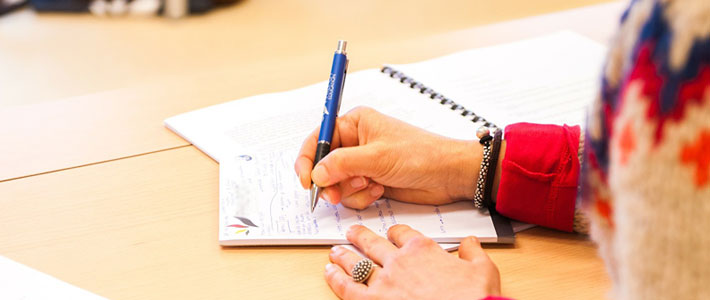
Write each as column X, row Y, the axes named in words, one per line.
column 346, row 162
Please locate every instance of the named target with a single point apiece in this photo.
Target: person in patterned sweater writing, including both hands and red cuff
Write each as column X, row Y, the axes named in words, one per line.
column 644, row 176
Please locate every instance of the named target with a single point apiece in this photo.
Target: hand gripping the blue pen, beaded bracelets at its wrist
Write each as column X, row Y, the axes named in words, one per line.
column 374, row 155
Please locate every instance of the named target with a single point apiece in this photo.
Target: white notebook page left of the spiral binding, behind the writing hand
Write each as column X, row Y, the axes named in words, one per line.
column 281, row 121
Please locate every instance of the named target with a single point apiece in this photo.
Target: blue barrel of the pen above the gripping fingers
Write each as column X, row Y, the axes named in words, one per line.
column 332, row 99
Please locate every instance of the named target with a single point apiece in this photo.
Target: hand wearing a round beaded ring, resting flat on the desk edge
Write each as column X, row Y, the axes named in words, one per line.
column 414, row 267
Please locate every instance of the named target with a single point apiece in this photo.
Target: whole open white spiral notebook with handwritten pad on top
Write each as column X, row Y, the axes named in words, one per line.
column 549, row 79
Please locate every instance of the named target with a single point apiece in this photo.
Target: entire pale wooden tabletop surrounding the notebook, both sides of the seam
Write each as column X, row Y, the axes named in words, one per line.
column 126, row 209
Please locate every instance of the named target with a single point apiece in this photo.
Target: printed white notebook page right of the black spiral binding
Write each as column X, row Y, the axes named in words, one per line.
column 549, row 79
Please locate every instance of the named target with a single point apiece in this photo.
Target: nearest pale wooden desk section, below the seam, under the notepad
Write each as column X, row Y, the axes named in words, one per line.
column 146, row 227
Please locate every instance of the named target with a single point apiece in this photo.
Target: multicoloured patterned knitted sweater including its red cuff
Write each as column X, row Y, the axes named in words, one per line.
column 646, row 171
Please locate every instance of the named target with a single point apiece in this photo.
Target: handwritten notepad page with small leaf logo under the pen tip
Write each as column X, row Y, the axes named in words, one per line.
column 262, row 203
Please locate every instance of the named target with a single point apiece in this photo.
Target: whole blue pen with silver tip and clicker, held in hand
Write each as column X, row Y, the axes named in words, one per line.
column 330, row 112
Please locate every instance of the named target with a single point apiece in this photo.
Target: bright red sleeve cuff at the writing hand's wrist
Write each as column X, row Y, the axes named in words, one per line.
column 539, row 173
